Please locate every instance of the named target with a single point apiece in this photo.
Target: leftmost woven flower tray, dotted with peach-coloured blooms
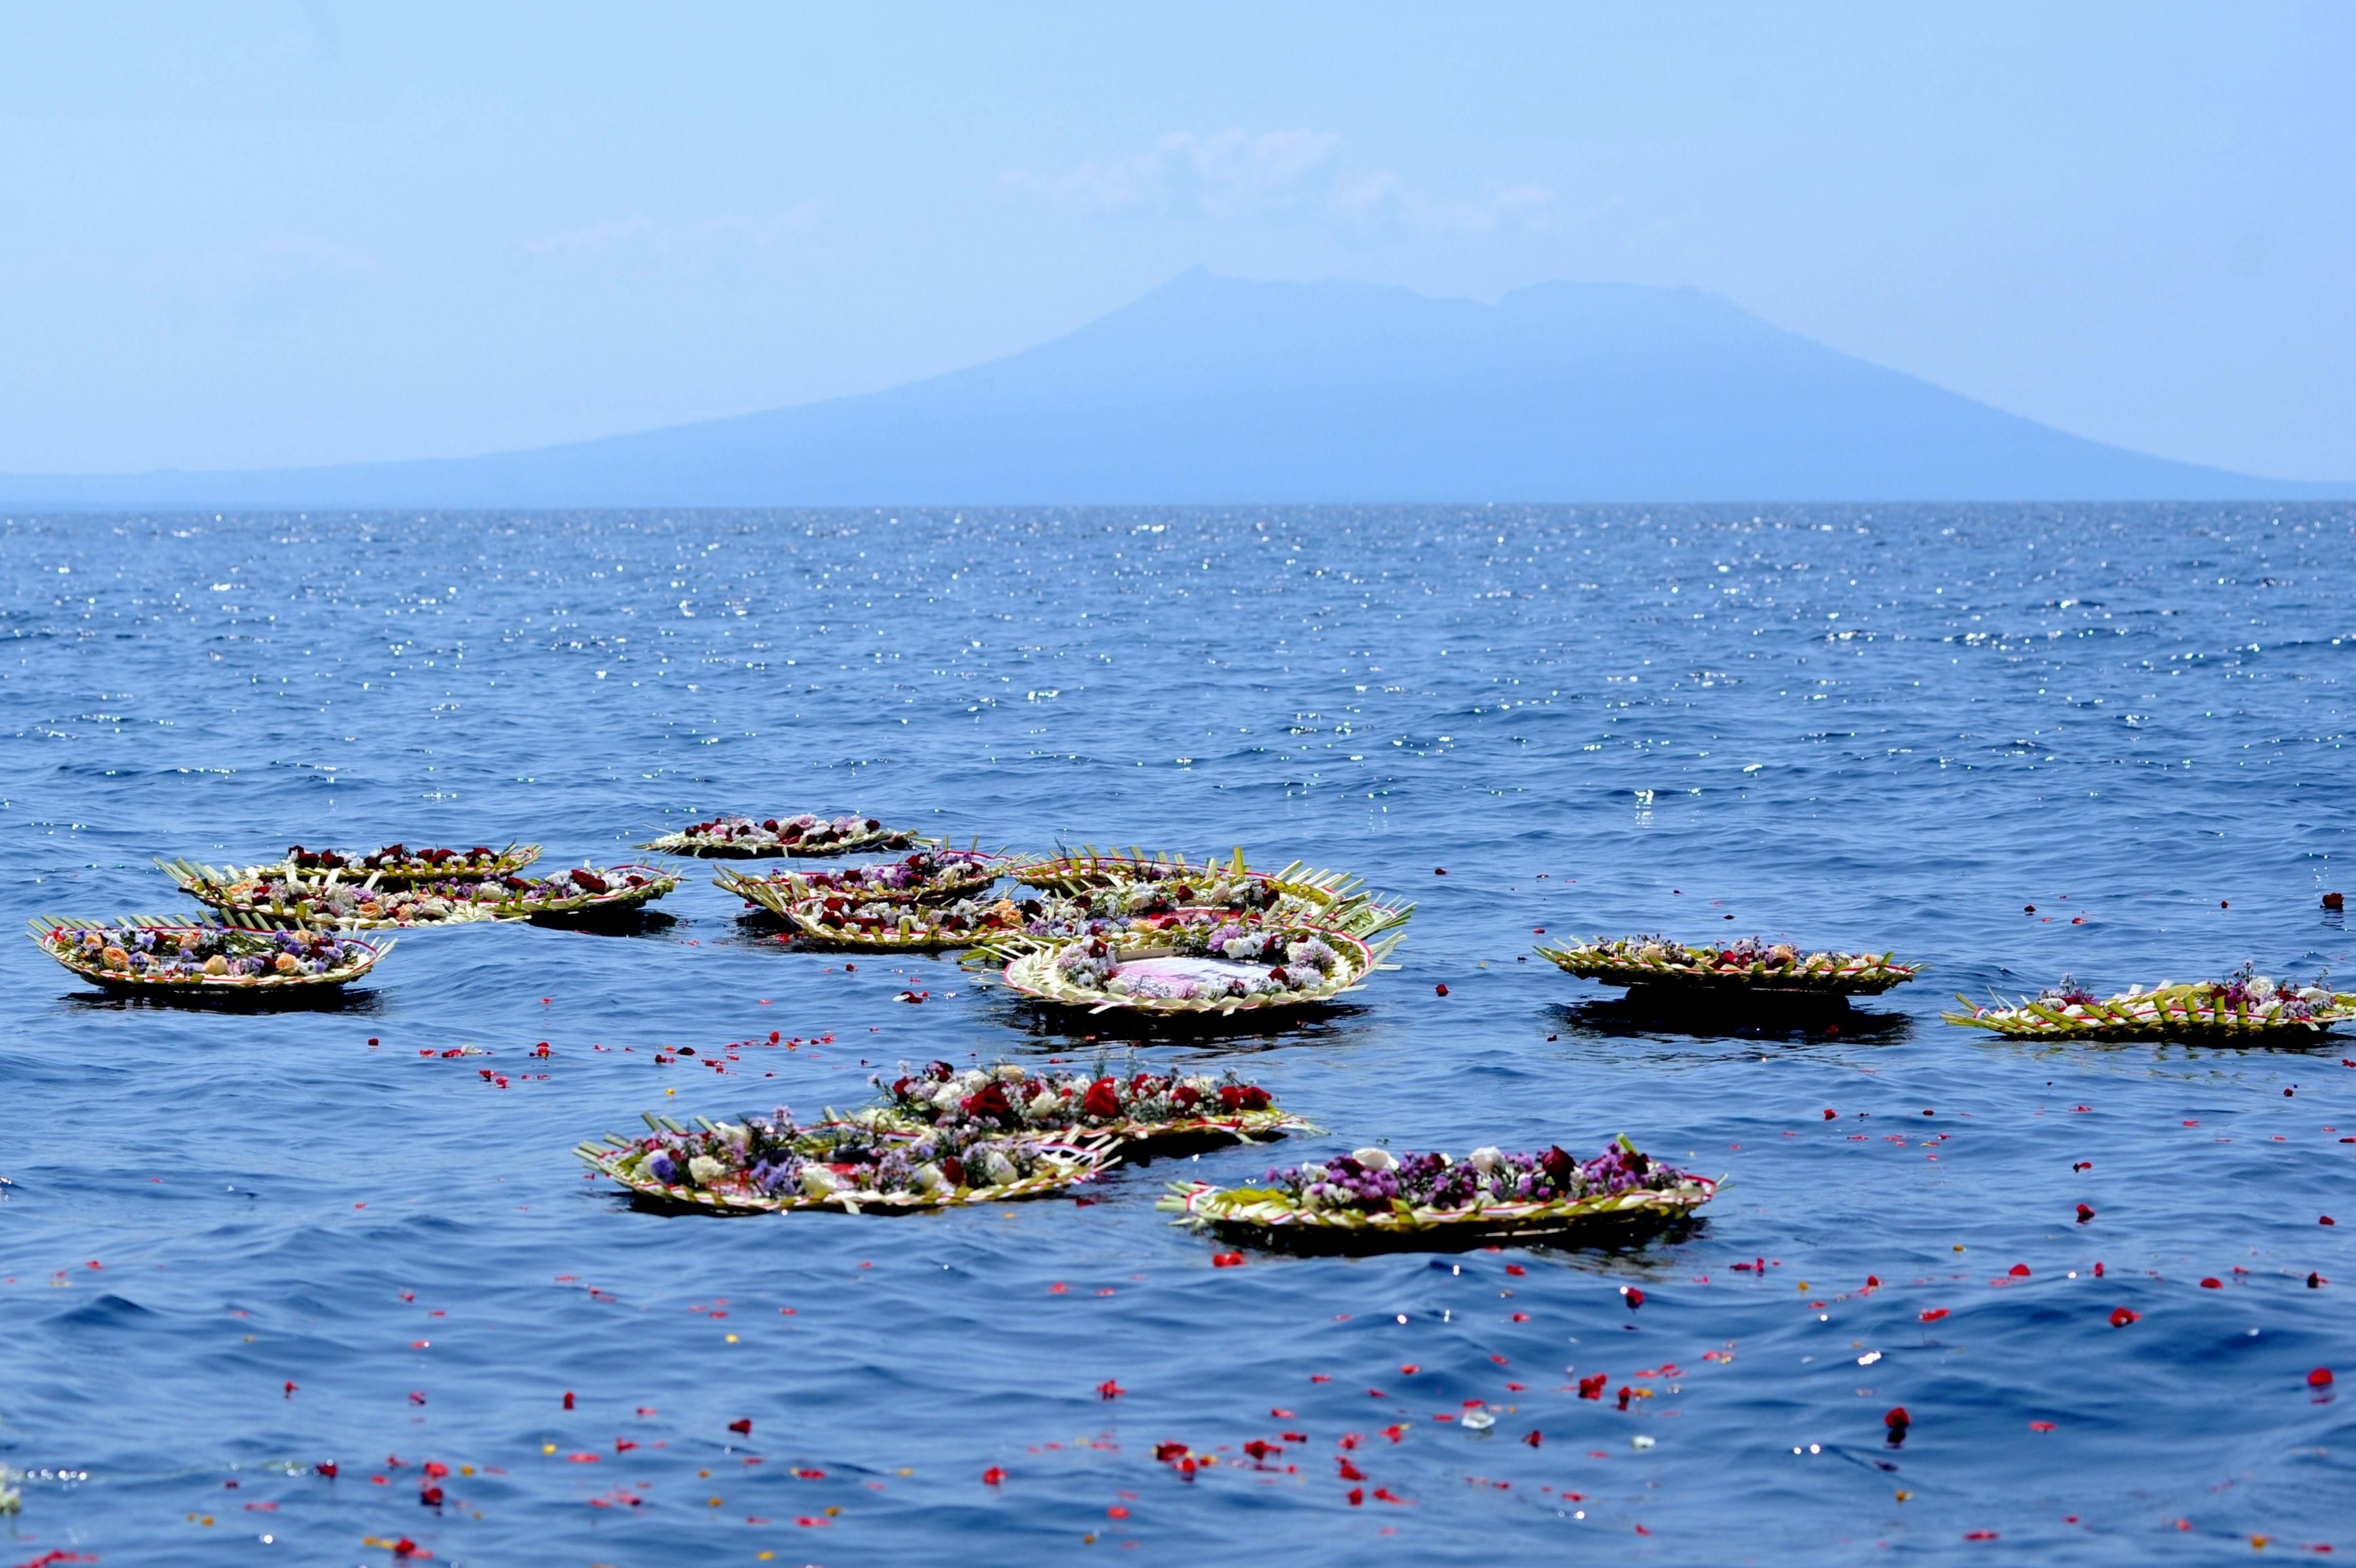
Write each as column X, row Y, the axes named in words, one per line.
column 150, row 955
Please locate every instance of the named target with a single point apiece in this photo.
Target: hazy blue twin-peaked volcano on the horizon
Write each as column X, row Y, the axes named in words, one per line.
column 1229, row 392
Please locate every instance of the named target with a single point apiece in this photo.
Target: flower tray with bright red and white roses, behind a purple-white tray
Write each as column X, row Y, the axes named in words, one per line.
column 1153, row 1110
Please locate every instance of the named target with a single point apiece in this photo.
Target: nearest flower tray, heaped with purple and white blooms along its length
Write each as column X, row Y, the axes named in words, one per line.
column 1431, row 1200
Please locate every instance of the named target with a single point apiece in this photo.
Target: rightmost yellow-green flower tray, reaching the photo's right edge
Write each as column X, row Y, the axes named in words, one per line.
column 2244, row 1004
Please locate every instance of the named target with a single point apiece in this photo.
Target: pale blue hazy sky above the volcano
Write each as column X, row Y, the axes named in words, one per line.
column 279, row 234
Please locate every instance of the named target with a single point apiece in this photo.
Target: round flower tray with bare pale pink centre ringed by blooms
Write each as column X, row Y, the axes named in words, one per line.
column 1198, row 969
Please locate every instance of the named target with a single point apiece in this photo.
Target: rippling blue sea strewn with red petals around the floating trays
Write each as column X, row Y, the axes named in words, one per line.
column 241, row 1247
